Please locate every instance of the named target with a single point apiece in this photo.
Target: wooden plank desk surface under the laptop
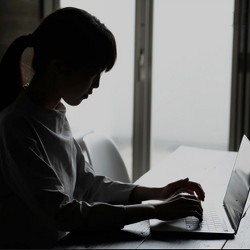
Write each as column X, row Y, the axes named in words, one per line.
column 211, row 168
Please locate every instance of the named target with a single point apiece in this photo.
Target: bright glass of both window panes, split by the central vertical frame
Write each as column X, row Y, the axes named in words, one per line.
column 191, row 76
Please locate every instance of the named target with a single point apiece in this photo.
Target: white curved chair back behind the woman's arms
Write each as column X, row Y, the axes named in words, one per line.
column 104, row 156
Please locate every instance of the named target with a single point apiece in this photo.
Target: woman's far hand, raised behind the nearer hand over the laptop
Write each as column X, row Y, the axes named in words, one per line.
column 182, row 186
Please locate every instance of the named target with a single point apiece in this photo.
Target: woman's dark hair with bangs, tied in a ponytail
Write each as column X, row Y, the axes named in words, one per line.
column 71, row 35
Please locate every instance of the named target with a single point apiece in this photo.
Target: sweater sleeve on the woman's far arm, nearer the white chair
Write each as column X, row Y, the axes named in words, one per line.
column 93, row 188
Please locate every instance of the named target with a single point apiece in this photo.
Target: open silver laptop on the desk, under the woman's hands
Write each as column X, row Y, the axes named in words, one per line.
column 219, row 220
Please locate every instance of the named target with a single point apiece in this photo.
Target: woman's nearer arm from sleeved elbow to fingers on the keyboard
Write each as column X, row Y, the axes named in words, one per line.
column 103, row 216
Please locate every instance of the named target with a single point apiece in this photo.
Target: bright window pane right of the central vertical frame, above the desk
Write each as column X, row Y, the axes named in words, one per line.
column 191, row 82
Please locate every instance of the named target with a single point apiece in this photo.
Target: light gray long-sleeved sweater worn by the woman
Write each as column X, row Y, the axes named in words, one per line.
column 46, row 186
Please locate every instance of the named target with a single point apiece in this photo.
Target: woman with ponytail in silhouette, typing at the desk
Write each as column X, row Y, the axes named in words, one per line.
column 47, row 188
